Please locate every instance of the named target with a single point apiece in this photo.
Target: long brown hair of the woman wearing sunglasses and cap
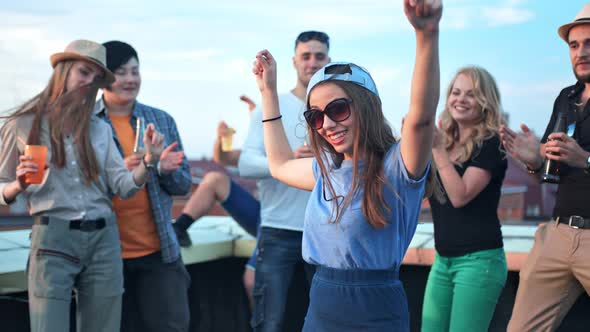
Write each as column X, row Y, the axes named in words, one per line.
column 372, row 139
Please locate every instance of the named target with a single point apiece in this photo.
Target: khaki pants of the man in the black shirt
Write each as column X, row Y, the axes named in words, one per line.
column 556, row 273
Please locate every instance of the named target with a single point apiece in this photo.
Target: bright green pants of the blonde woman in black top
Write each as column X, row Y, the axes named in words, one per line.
column 461, row 292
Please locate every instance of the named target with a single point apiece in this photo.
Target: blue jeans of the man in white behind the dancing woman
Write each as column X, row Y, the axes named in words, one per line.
column 279, row 251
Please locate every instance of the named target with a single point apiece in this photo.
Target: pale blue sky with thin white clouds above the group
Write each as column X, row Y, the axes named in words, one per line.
column 196, row 55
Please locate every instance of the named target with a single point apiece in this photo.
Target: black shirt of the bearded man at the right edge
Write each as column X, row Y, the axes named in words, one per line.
column 574, row 185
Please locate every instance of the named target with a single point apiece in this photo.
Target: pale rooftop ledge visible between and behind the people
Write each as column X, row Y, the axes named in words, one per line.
column 216, row 237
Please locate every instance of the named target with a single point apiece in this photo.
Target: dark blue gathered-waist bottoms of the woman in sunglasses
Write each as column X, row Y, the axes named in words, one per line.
column 357, row 300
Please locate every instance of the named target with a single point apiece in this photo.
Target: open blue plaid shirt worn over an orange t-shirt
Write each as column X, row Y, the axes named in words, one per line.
column 160, row 187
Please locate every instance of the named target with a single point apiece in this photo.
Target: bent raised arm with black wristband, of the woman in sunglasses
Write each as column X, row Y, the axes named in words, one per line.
column 297, row 173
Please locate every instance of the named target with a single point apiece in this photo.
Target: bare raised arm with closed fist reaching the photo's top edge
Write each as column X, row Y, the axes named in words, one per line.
column 416, row 142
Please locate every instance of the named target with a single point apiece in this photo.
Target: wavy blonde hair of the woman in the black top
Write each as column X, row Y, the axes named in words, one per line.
column 490, row 118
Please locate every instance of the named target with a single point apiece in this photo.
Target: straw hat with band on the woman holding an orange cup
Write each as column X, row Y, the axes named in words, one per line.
column 85, row 50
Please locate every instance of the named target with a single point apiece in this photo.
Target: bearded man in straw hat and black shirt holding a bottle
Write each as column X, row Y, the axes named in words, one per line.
column 557, row 270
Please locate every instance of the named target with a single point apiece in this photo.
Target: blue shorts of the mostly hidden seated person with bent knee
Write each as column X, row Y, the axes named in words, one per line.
column 245, row 210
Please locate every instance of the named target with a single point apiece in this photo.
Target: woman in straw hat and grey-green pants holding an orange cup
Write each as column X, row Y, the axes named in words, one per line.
column 74, row 242
